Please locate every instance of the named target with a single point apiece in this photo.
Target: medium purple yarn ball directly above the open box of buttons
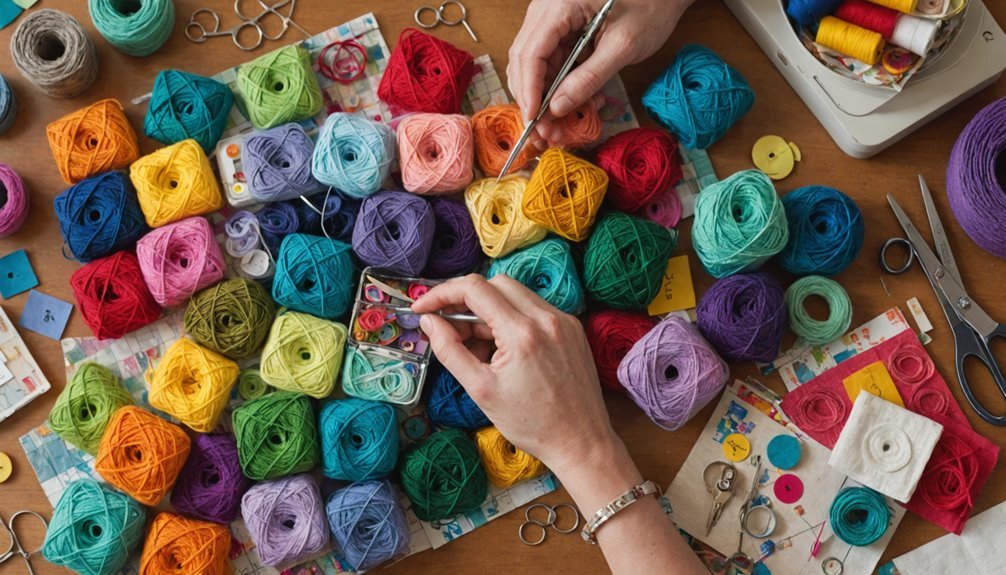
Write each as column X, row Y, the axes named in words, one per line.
column 395, row 232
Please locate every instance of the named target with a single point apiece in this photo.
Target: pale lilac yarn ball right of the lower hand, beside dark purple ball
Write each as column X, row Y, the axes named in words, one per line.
column 673, row 373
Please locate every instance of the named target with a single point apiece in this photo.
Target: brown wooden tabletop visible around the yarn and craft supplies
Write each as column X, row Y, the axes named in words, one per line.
column 659, row 454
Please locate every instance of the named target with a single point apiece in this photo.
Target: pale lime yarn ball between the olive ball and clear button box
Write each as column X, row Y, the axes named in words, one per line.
column 303, row 354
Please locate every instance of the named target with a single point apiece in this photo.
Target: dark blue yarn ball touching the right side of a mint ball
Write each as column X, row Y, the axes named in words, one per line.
column 826, row 232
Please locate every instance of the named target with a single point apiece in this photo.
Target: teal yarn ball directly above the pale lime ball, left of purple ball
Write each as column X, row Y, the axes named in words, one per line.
column 314, row 275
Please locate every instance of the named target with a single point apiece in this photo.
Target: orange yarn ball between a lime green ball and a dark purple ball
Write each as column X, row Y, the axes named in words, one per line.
column 141, row 455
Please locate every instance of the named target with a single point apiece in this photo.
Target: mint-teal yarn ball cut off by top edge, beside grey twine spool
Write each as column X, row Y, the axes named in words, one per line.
column 135, row 28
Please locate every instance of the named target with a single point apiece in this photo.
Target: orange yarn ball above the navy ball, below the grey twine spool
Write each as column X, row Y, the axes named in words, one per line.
column 93, row 140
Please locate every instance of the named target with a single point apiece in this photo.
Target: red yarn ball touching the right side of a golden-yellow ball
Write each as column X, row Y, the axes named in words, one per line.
column 641, row 164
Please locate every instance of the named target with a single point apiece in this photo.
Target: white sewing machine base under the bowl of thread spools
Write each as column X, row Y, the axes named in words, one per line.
column 866, row 120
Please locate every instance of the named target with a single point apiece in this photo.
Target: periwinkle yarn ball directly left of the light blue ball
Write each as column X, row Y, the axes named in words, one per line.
column 277, row 164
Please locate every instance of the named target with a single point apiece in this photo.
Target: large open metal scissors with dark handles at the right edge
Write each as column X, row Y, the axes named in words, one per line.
column 973, row 329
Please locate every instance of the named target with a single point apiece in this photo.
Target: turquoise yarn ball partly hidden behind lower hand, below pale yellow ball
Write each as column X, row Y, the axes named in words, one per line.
column 548, row 270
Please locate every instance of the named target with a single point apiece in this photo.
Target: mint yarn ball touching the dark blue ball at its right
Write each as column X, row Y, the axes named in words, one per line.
column 740, row 225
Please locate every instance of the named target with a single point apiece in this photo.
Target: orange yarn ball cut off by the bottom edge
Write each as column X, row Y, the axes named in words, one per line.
column 177, row 544
